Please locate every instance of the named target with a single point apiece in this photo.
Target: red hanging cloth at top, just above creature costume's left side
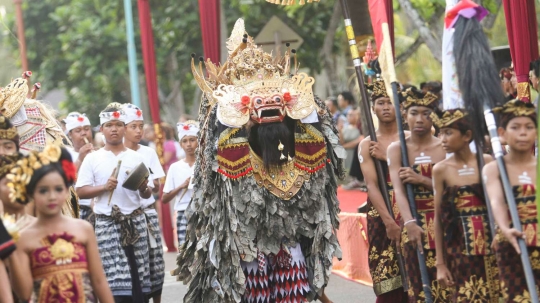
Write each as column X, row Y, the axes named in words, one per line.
column 210, row 28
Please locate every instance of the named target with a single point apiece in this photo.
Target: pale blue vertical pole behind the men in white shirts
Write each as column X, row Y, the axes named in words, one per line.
column 132, row 55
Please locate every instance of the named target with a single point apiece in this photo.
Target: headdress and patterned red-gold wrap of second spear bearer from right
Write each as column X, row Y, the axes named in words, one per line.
column 467, row 235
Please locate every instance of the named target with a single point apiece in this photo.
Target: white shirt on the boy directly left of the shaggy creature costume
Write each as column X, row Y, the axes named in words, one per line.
column 178, row 173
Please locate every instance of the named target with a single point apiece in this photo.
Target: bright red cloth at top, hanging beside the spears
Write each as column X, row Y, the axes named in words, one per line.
column 381, row 11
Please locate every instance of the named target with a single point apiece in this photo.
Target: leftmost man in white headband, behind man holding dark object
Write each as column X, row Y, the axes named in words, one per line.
column 79, row 131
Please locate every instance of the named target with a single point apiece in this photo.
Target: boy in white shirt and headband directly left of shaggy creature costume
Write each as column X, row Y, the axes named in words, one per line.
column 178, row 185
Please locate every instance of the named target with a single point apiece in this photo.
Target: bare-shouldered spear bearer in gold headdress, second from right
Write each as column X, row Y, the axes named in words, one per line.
column 463, row 238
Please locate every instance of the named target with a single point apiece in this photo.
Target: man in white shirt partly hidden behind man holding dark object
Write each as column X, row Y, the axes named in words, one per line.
column 134, row 132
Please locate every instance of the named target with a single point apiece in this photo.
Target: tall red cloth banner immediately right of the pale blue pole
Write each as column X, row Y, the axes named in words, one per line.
column 149, row 58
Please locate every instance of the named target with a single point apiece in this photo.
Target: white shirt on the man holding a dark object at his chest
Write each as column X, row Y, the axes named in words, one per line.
column 96, row 169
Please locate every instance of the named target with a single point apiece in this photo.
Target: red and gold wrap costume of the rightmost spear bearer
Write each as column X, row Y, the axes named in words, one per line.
column 512, row 277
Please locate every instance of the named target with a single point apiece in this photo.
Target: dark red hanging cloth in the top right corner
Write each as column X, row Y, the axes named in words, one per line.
column 521, row 26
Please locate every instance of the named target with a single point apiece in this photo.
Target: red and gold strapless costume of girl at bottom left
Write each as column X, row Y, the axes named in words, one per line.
column 60, row 271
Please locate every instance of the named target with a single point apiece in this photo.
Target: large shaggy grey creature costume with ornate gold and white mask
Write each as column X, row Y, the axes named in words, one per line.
column 261, row 228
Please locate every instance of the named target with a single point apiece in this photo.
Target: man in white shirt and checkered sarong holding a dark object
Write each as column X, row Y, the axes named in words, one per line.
column 121, row 229
